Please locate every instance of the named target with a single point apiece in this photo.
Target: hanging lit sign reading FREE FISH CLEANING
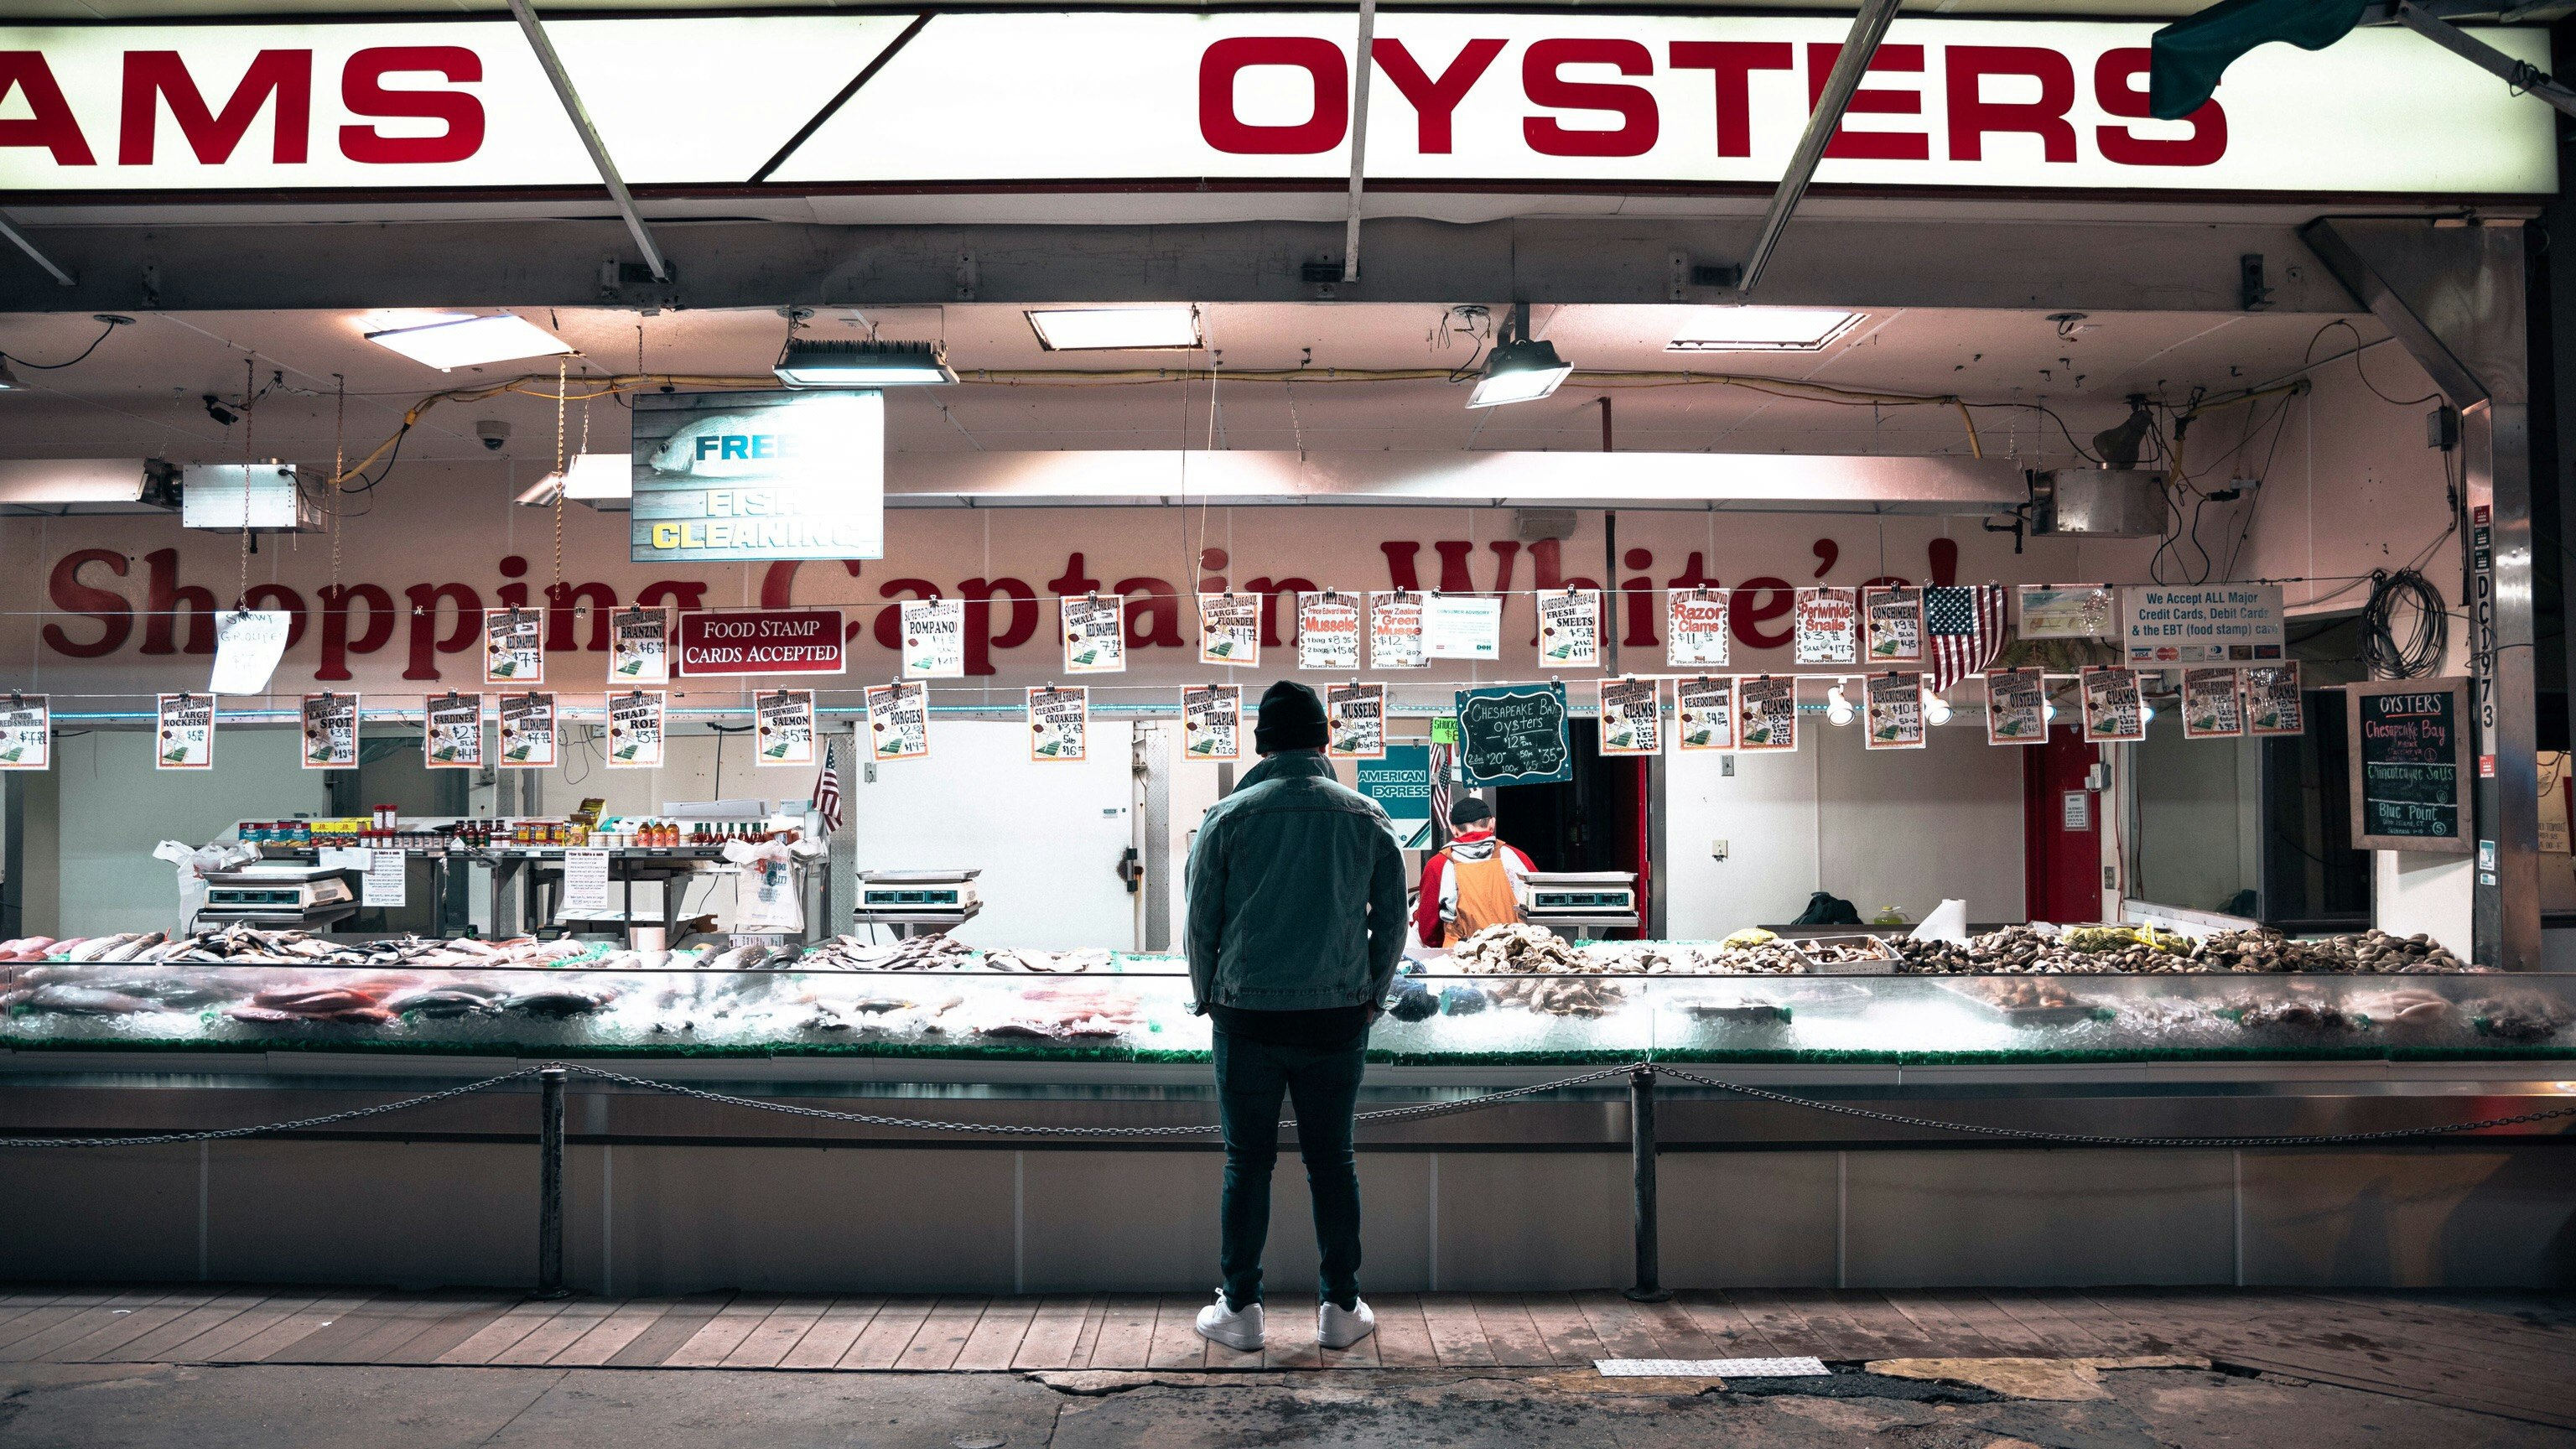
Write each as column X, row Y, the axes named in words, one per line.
column 759, row 476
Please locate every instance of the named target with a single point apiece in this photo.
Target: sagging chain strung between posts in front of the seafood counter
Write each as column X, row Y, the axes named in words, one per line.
column 1361, row 1120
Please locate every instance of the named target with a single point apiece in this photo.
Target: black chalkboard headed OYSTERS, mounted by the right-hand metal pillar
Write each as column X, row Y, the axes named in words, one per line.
column 2410, row 767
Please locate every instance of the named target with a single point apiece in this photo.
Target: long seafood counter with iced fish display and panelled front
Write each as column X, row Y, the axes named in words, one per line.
column 676, row 1192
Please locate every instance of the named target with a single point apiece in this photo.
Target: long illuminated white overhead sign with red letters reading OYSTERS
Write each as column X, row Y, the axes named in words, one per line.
column 1032, row 99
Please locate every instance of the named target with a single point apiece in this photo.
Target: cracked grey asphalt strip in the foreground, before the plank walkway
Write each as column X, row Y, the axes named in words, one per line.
column 182, row 1406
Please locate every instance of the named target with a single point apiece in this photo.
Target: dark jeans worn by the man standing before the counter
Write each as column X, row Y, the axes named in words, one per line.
column 1325, row 1087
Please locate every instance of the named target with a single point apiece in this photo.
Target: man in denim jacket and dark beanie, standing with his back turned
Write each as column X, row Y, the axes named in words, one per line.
column 1297, row 924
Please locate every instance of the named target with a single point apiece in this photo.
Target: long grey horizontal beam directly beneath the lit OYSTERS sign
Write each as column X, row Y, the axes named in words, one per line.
column 1841, row 262
